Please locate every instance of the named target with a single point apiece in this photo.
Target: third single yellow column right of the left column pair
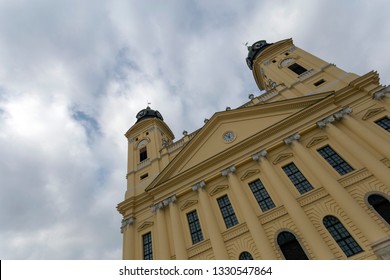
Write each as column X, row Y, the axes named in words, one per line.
column 309, row 232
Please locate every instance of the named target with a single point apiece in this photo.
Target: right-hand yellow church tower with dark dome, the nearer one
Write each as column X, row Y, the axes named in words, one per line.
column 291, row 72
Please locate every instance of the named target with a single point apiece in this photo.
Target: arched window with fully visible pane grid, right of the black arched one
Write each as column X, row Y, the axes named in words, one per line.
column 341, row 235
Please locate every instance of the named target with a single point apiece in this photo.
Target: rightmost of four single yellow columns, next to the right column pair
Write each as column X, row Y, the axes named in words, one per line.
column 359, row 217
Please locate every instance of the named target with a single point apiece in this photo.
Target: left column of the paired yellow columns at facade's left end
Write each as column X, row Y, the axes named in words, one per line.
column 162, row 234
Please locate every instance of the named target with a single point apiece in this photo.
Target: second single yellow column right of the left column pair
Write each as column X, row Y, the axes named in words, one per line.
column 259, row 236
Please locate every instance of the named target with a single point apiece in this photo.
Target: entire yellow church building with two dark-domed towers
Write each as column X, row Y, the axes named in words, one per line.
column 299, row 172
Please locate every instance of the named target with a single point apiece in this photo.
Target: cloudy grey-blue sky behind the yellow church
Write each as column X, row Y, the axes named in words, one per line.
column 74, row 74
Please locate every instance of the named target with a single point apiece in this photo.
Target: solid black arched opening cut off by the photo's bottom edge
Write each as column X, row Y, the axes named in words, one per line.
column 290, row 246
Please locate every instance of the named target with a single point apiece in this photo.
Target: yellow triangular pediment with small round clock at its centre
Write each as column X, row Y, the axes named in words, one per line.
column 242, row 125
